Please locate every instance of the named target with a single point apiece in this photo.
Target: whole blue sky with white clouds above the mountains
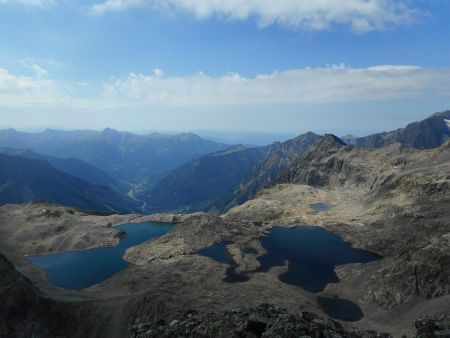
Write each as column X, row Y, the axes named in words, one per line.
column 285, row 66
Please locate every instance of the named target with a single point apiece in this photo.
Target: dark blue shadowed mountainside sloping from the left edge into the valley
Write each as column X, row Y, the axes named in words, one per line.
column 23, row 180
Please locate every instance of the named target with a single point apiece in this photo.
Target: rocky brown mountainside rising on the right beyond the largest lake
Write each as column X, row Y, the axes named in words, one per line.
column 392, row 201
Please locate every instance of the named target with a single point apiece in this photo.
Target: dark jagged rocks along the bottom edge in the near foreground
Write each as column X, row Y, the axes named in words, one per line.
column 268, row 321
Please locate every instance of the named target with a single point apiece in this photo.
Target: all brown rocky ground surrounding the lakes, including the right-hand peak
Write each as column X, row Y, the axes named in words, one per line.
column 392, row 201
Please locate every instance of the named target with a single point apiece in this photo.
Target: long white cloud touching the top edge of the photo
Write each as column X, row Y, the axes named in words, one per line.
column 360, row 15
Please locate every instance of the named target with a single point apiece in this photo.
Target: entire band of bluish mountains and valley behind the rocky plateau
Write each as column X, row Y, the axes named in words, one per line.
column 120, row 171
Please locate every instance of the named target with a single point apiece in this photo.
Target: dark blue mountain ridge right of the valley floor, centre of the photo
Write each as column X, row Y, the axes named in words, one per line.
column 226, row 178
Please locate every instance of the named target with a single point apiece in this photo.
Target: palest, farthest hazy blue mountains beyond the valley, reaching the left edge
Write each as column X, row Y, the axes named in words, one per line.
column 126, row 157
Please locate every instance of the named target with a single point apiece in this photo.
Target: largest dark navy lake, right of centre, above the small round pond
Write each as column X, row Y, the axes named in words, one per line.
column 312, row 254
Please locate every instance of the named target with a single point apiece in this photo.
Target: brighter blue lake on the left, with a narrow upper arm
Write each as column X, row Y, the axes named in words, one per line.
column 81, row 269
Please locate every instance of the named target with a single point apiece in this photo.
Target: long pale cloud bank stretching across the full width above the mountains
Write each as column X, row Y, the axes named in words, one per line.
column 331, row 84
